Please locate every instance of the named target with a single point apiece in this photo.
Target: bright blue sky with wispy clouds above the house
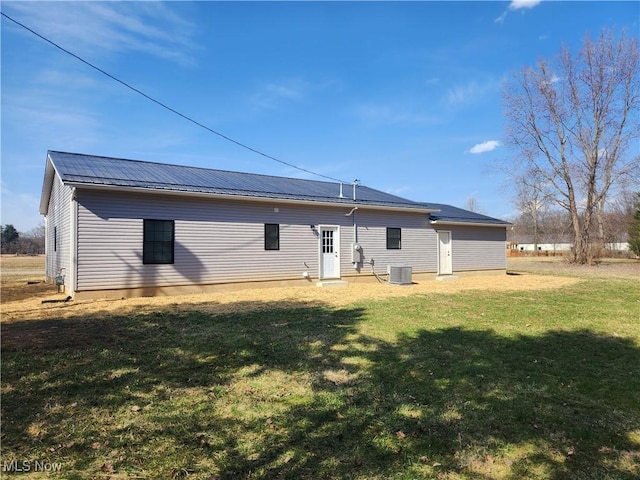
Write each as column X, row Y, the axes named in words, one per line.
column 405, row 96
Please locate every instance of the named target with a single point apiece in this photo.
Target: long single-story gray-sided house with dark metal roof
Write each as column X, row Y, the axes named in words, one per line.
column 119, row 228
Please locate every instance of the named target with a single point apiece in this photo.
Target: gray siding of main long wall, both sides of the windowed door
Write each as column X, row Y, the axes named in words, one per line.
column 222, row 241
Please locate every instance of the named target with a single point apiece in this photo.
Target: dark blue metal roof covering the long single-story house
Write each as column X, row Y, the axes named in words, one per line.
column 97, row 172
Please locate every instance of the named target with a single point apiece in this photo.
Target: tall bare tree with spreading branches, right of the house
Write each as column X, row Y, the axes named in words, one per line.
column 571, row 123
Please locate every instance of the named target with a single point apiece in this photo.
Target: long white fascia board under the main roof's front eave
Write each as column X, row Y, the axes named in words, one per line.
column 181, row 193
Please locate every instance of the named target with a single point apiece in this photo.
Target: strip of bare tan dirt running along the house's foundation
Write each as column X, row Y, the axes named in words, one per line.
column 256, row 299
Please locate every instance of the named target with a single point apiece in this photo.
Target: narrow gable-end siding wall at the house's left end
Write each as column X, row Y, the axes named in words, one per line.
column 57, row 258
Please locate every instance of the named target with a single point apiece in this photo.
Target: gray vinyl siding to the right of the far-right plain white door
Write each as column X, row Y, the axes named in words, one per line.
column 478, row 248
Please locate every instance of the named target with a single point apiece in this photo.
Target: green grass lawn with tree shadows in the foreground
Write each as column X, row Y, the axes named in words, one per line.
column 536, row 385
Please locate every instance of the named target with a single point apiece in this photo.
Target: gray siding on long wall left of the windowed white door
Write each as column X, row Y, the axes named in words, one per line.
column 215, row 242
